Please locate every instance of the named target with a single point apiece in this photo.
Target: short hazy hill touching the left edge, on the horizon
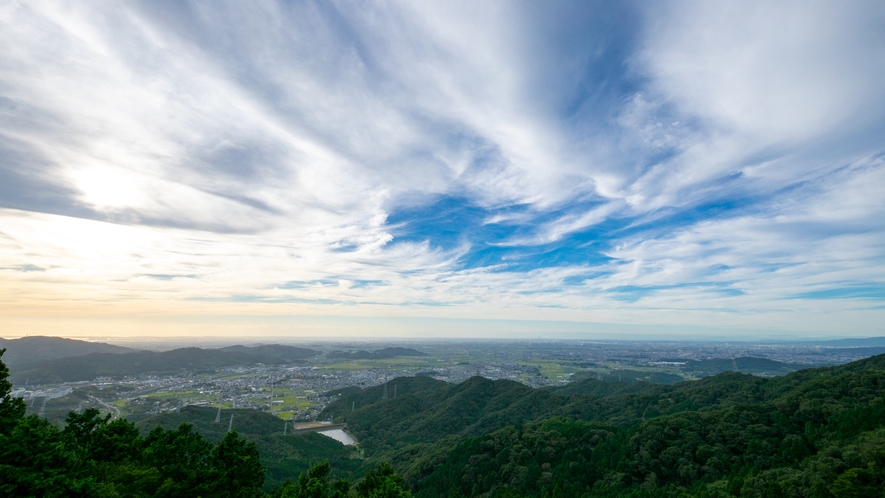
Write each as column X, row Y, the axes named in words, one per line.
column 33, row 349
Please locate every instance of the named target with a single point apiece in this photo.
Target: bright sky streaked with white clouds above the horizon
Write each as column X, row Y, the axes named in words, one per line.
column 442, row 169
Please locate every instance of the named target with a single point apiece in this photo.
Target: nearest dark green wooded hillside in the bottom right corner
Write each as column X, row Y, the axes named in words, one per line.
column 819, row 433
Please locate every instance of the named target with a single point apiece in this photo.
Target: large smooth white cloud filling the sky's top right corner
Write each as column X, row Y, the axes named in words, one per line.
column 779, row 92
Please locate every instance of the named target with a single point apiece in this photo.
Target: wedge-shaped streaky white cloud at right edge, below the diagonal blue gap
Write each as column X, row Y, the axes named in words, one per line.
column 823, row 236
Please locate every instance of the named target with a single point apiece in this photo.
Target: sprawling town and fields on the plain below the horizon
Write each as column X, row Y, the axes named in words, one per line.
column 299, row 391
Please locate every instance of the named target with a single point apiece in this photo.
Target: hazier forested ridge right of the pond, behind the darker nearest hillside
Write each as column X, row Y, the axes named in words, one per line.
column 427, row 410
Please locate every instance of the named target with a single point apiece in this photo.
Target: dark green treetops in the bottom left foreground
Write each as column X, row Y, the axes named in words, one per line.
column 94, row 456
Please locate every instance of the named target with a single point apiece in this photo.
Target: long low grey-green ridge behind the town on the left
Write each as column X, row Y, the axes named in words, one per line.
column 112, row 365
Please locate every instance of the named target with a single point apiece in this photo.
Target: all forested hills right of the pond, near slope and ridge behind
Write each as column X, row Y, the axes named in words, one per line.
column 816, row 432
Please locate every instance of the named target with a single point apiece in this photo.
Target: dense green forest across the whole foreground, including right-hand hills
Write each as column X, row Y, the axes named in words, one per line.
column 811, row 433
